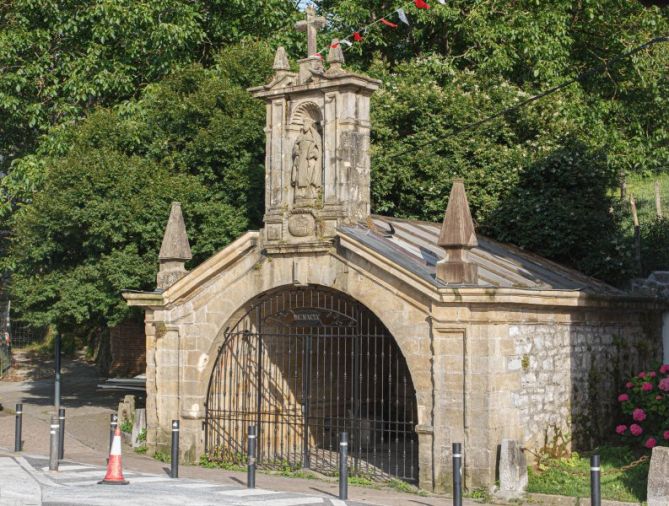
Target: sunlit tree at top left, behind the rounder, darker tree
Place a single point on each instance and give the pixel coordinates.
(61, 59)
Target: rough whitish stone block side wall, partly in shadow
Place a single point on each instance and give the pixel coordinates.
(570, 373)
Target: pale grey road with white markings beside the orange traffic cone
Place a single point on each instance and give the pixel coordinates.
(26, 480)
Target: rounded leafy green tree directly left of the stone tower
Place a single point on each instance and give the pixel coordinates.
(95, 225)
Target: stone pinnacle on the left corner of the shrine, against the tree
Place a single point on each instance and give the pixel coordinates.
(175, 249)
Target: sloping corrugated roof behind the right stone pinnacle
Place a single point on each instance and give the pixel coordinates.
(413, 245)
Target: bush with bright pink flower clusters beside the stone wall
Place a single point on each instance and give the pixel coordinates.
(645, 404)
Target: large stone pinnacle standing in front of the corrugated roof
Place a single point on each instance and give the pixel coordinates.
(457, 238)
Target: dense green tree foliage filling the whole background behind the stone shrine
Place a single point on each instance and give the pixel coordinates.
(111, 109)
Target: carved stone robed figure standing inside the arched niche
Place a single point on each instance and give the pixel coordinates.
(307, 156)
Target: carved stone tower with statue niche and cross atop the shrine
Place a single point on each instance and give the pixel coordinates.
(317, 151)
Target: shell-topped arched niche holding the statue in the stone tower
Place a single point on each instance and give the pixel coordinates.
(306, 166)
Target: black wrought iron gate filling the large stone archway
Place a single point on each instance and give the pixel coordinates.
(304, 364)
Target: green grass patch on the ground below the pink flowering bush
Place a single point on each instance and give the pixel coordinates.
(571, 476)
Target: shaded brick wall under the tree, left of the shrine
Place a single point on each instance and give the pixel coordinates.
(128, 349)
